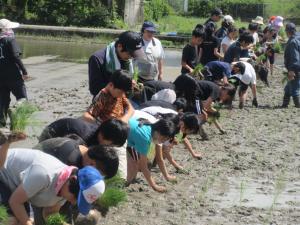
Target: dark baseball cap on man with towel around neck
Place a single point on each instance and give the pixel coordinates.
(132, 43)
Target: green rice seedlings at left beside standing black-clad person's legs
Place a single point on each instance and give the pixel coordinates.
(20, 116)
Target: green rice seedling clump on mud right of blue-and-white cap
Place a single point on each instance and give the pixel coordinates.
(112, 197)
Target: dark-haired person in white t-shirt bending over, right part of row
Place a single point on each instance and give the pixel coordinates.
(246, 73)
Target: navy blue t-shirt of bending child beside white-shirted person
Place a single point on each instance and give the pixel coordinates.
(219, 69)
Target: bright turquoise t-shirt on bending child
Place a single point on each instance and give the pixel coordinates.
(139, 137)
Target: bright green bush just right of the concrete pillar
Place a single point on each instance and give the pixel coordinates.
(156, 9)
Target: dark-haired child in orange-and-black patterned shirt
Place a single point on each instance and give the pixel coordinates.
(111, 101)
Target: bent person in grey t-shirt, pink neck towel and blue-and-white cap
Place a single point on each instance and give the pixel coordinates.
(31, 176)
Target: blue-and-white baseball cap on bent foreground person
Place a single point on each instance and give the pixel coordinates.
(92, 185)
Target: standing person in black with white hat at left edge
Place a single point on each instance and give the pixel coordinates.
(13, 72)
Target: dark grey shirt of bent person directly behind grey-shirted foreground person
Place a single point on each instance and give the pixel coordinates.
(64, 149)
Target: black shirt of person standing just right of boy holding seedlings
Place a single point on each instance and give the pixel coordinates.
(208, 46)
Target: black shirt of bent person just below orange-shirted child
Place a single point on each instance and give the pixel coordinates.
(66, 126)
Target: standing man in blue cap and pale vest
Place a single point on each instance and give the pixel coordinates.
(150, 68)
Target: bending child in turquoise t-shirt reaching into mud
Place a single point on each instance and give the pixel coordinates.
(140, 137)
